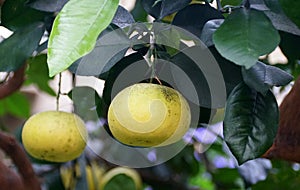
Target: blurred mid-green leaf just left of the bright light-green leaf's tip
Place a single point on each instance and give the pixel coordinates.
(37, 73)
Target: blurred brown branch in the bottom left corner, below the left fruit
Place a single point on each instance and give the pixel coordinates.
(11, 147)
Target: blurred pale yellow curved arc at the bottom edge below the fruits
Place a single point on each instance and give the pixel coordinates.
(121, 171)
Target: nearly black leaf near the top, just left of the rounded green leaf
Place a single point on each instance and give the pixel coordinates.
(185, 18)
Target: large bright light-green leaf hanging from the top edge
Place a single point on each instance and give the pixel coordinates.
(75, 31)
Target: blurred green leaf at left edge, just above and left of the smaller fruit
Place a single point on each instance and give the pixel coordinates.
(15, 104)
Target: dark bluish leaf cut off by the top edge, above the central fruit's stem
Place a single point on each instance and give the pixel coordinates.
(160, 9)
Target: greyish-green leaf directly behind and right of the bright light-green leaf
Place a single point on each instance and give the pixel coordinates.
(110, 47)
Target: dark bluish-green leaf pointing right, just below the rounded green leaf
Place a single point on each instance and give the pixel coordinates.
(262, 77)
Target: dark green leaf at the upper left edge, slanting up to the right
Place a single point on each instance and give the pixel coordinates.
(15, 50)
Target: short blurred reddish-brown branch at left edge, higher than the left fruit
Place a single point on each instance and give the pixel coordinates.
(13, 83)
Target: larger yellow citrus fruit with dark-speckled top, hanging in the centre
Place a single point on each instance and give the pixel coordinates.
(148, 115)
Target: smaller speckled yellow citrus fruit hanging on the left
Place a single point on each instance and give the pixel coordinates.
(54, 136)
